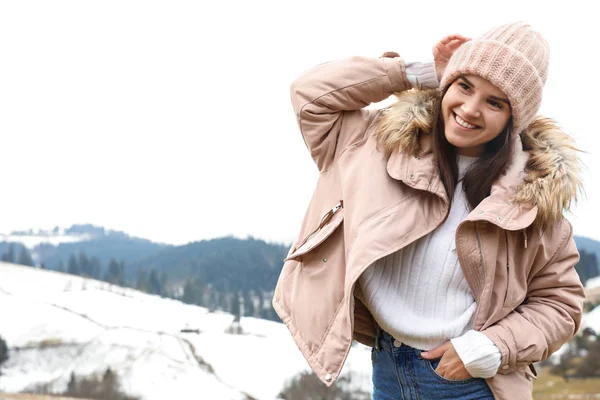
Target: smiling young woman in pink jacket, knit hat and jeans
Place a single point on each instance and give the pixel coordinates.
(435, 234)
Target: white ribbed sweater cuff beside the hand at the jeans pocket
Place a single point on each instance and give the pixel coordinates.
(479, 354)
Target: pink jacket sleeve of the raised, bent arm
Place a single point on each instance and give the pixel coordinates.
(329, 99)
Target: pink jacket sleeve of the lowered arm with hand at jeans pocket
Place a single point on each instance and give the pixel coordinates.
(550, 314)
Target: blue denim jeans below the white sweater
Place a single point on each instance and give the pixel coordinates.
(400, 373)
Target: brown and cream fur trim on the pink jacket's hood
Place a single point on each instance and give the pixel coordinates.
(548, 171)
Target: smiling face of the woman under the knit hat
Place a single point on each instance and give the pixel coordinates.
(475, 112)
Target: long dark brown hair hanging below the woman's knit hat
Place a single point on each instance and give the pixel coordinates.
(478, 180)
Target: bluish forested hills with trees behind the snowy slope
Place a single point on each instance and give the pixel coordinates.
(228, 274)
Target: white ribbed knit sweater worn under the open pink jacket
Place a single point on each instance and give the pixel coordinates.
(420, 296)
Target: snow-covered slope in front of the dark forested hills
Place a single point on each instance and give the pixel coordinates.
(56, 324)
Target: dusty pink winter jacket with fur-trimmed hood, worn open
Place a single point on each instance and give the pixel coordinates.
(515, 248)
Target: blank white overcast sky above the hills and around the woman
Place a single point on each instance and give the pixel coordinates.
(171, 120)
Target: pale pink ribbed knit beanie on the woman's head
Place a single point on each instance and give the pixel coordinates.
(513, 57)
